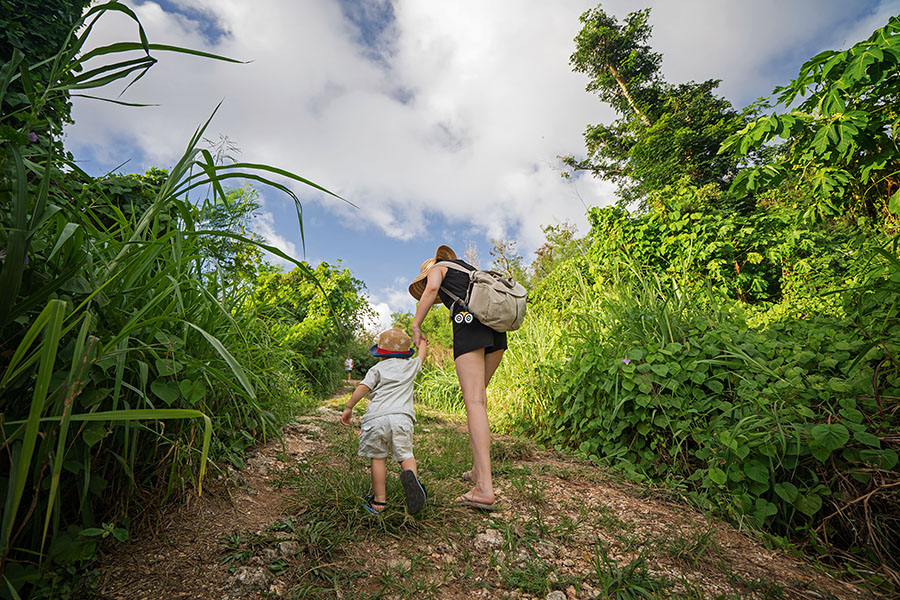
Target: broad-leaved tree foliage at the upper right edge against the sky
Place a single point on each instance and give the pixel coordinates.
(841, 141)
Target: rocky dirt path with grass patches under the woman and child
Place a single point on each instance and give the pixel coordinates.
(290, 525)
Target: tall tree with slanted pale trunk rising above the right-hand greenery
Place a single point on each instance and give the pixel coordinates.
(665, 133)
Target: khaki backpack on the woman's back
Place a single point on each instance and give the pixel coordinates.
(495, 300)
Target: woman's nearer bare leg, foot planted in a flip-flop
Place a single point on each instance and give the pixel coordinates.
(470, 369)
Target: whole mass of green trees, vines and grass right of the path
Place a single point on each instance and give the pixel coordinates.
(745, 354)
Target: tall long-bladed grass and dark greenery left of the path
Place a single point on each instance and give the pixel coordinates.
(120, 349)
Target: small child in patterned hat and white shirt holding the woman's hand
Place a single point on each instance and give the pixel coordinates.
(389, 419)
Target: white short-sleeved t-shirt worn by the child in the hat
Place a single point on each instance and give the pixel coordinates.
(391, 382)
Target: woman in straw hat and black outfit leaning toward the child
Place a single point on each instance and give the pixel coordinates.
(477, 351)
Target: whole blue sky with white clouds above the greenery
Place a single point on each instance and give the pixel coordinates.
(441, 122)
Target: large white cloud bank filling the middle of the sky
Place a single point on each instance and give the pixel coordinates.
(463, 124)
